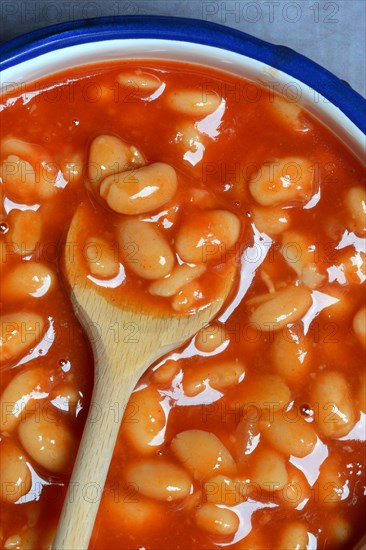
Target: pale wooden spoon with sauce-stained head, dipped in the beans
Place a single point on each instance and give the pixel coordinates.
(118, 362)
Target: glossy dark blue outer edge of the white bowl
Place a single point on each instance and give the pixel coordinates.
(47, 39)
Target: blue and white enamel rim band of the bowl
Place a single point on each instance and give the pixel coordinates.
(53, 49)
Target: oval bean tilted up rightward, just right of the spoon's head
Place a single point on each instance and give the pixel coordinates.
(282, 308)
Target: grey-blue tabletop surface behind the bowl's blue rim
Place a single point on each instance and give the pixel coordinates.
(331, 33)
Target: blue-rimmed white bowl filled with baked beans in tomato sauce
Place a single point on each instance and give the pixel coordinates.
(191, 150)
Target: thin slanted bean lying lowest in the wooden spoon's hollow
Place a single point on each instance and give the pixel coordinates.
(176, 280)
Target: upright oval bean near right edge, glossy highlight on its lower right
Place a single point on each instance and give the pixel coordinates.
(330, 396)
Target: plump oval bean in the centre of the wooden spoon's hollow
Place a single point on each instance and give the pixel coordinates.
(145, 249)
